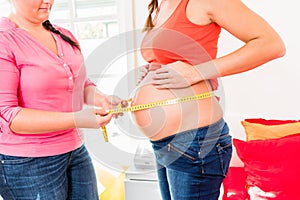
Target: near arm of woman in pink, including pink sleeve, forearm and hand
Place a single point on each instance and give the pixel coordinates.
(29, 121)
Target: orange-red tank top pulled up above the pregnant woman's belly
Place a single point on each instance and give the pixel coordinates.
(178, 39)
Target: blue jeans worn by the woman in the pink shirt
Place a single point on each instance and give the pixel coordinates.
(67, 176)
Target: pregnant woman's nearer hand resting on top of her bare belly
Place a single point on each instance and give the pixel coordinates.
(176, 75)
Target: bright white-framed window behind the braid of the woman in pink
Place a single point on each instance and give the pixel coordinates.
(92, 21)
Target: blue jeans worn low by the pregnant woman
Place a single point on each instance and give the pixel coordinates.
(191, 165)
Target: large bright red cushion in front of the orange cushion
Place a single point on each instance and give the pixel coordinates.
(272, 165)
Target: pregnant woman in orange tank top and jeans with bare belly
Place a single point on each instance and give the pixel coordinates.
(191, 141)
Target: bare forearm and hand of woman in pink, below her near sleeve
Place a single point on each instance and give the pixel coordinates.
(30, 121)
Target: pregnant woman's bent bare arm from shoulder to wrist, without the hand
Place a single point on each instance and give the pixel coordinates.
(262, 42)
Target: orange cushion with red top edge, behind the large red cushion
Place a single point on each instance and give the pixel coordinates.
(261, 129)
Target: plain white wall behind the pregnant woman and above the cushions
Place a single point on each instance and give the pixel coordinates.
(271, 90)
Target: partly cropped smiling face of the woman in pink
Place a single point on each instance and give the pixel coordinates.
(34, 11)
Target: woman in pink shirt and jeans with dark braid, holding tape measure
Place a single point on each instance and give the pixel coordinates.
(43, 87)
